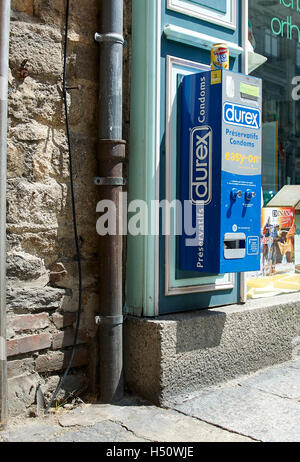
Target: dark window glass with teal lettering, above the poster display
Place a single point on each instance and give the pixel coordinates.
(275, 34)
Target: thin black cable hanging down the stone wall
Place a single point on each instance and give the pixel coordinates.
(73, 208)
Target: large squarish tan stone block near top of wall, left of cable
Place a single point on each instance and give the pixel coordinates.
(41, 45)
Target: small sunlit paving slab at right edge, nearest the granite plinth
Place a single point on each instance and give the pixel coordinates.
(283, 381)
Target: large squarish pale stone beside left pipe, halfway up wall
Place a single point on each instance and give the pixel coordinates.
(33, 207)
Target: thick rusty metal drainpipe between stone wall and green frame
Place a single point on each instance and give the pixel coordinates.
(111, 155)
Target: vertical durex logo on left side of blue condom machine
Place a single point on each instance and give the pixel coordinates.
(200, 165)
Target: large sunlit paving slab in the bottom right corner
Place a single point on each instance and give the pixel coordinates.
(248, 411)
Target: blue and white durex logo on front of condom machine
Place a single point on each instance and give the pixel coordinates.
(243, 116)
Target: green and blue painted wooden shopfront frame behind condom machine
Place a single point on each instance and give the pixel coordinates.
(170, 38)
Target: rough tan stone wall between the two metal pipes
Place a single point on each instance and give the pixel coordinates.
(42, 292)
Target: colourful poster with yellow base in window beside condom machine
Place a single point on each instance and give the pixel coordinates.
(277, 273)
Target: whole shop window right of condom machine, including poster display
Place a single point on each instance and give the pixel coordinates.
(275, 28)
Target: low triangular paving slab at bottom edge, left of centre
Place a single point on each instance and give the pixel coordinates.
(103, 432)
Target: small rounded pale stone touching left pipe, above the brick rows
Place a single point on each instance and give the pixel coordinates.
(24, 266)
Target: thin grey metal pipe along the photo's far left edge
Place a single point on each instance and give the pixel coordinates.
(4, 49)
